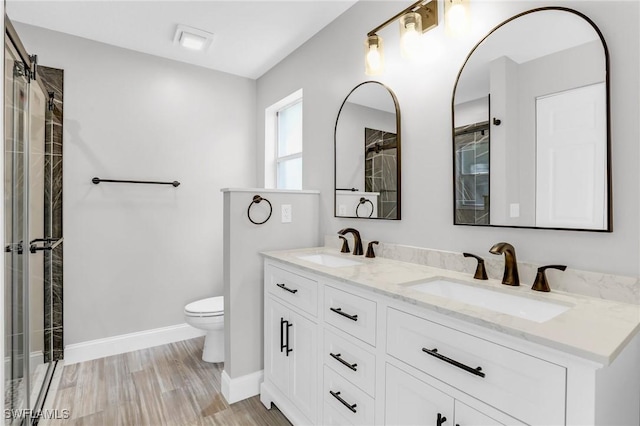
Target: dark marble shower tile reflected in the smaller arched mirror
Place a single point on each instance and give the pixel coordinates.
(380, 169)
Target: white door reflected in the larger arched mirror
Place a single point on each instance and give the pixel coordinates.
(571, 152)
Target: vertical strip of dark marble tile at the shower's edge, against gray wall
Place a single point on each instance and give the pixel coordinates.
(53, 334)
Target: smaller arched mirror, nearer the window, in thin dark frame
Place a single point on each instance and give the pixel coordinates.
(367, 154)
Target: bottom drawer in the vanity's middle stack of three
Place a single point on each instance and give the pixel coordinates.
(355, 406)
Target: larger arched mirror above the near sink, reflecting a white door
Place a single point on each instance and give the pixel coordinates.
(531, 126)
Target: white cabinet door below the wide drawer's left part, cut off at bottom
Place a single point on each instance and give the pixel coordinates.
(410, 401)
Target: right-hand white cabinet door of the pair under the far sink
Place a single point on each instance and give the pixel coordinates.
(303, 368)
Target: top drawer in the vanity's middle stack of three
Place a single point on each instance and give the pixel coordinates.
(350, 313)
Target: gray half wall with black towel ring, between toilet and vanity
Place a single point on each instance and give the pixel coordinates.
(243, 265)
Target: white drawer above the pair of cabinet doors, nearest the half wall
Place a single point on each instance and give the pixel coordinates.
(299, 291)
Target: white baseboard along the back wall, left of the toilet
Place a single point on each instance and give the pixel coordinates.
(100, 348)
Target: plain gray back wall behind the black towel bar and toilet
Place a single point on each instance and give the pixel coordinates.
(136, 254)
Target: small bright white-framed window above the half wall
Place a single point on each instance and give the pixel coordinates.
(283, 143)
